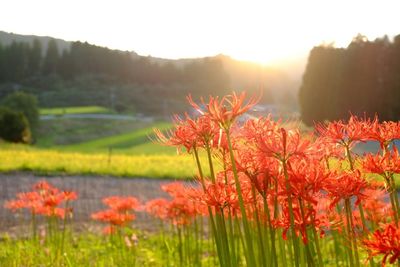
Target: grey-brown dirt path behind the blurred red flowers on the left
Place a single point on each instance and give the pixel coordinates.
(90, 192)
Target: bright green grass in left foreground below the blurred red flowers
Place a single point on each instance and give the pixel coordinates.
(93, 249)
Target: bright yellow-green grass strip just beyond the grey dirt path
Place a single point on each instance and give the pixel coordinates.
(51, 162)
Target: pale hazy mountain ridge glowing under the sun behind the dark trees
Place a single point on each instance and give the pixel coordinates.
(243, 74)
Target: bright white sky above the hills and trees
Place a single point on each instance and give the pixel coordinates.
(267, 32)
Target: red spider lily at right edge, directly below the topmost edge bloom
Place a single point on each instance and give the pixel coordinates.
(388, 163)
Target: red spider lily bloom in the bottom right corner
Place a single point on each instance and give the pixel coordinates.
(385, 242)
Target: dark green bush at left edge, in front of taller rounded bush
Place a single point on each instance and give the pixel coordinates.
(14, 127)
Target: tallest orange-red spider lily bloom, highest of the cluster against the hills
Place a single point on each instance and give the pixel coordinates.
(225, 111)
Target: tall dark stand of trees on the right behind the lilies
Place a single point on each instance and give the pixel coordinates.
(362, 79)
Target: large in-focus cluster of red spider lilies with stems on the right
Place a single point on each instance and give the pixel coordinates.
(277, 177)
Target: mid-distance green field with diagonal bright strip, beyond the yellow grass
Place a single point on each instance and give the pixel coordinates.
(99, 136)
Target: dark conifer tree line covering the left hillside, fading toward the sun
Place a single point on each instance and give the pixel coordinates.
(86, 74)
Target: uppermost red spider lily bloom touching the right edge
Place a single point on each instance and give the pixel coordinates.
(384, 132)
